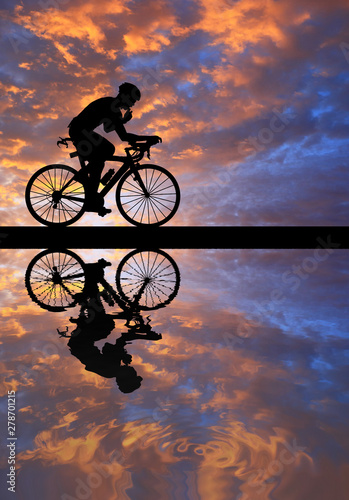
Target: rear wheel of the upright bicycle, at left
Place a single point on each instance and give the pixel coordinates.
(53, 196)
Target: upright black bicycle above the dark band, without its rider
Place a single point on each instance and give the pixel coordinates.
(56, 195)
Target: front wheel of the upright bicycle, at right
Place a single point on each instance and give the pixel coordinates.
(155, 207)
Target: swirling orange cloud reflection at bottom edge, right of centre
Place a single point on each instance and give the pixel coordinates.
(250, 456)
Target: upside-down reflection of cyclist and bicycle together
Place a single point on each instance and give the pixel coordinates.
(146, 281)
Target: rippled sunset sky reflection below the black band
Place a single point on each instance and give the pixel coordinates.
(245, 396)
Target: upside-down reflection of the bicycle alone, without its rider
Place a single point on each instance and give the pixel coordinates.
(56, 280)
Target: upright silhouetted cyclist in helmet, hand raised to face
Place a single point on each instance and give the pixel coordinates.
(112, 113)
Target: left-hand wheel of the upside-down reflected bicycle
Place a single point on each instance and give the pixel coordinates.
(53, 278)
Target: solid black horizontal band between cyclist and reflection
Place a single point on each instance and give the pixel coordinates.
(258, 237)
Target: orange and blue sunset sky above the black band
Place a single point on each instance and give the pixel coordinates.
(249, 97)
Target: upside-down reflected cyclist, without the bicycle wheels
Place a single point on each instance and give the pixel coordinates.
(93, 324)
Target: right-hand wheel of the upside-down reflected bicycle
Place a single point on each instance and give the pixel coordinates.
(152, 274)
